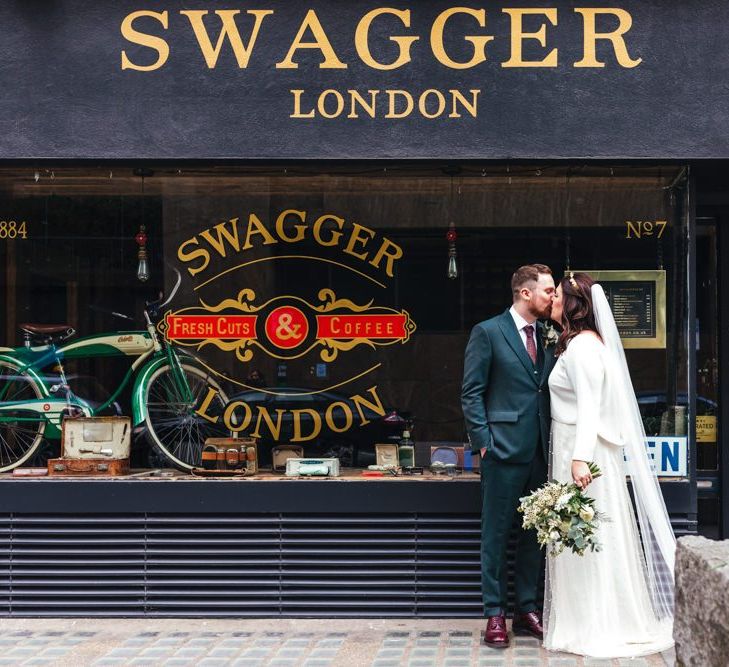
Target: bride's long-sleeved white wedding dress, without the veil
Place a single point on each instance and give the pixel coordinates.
(599, 604)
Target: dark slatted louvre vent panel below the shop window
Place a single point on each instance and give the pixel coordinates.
(264, 565)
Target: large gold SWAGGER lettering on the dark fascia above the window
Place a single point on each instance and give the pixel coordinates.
(312, 44)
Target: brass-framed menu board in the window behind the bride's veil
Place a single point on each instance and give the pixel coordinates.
(638, 302)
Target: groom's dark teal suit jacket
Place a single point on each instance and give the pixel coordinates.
(505, 397)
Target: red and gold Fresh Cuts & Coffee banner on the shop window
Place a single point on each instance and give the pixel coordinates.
(287, 327)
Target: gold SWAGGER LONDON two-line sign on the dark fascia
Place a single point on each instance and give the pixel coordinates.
(383, 39)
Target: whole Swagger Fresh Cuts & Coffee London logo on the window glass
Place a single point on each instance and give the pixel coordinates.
(287, 327)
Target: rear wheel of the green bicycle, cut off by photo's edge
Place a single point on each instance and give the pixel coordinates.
(19, 438)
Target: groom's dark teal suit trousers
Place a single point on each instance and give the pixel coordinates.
(502, 484)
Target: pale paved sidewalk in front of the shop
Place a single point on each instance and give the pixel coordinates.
(276, 642)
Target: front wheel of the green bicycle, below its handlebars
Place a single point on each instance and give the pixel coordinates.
(173, 427)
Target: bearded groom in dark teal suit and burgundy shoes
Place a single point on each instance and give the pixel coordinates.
(505, 401)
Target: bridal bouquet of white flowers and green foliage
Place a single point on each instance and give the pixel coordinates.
(563, 516)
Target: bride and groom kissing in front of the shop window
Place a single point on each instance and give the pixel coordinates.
(539, 405)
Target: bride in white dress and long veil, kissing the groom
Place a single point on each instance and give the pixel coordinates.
(617, 602)
